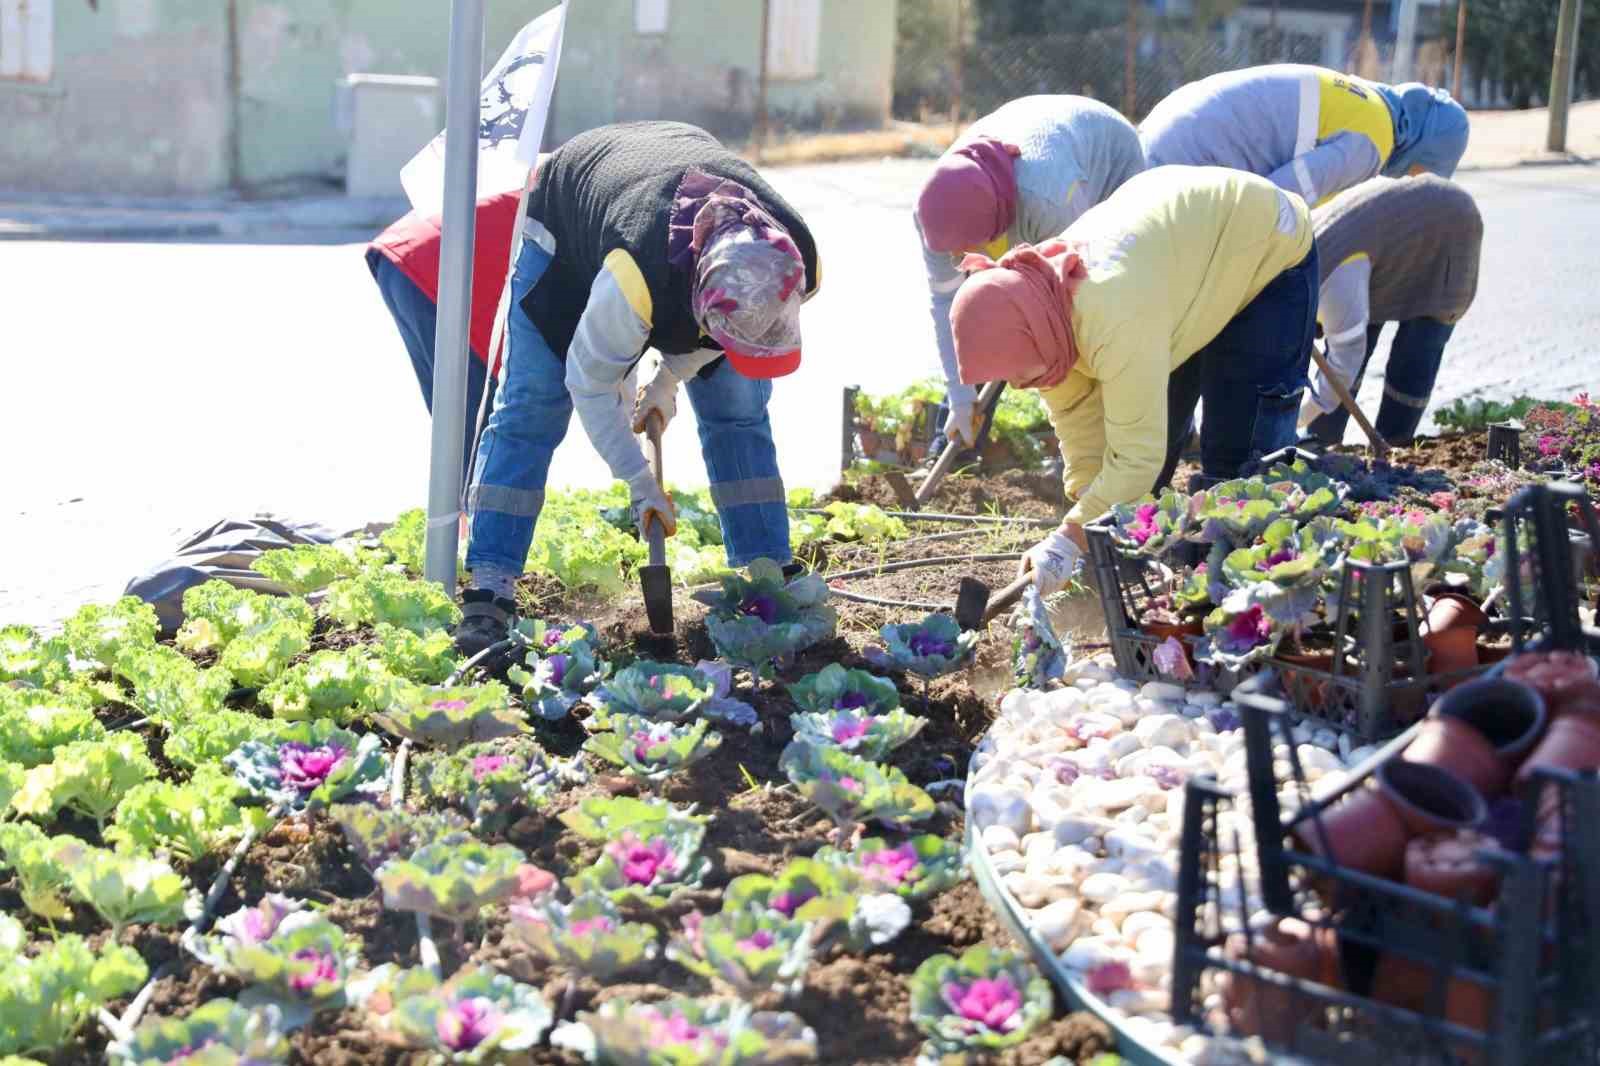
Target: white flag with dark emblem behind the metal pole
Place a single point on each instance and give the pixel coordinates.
(513, 113)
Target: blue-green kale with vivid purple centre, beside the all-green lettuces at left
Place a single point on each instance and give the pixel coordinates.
(311, 767)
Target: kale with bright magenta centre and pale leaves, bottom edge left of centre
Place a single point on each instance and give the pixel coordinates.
(476, 1017)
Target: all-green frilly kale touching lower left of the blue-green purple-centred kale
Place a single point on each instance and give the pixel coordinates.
(191, 820)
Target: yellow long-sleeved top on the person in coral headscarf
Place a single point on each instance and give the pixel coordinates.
(1172, 257)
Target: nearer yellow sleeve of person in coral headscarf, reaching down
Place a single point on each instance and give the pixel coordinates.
(1134, 395)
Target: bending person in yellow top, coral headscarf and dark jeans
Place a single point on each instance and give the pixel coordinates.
(1188, 283)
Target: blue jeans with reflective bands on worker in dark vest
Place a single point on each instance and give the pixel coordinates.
(530, 419)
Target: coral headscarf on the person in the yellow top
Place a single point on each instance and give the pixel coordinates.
(1014, 319)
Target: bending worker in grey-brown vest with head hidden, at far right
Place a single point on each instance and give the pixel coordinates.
(1393, 252)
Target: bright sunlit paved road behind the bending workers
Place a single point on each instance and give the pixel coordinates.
(154, 388)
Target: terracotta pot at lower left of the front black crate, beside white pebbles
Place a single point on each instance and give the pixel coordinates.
(1287, 947)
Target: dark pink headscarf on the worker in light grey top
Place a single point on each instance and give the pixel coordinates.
(972, 196)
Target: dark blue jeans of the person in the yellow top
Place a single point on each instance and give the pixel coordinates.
(1250, 377)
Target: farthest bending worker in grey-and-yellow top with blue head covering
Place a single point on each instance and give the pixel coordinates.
(1310, 130)
